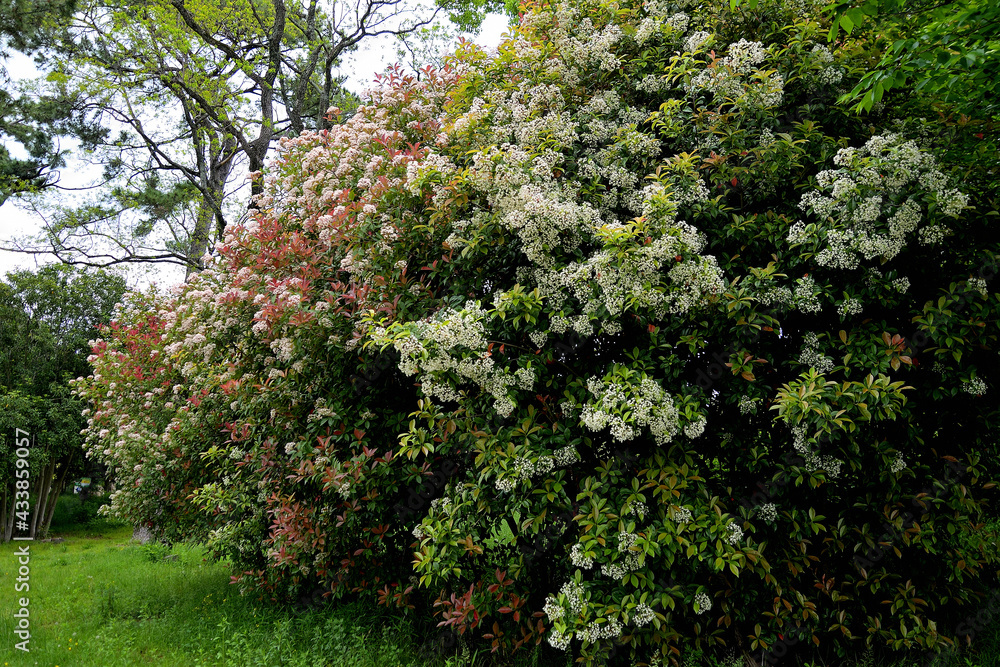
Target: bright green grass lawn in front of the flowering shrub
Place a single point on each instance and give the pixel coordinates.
(99, 600)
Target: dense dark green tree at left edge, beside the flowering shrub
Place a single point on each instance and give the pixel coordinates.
(47, 321)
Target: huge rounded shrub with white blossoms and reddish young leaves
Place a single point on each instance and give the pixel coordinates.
(622, 336)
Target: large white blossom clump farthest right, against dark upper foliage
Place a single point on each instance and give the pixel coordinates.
(871, 205)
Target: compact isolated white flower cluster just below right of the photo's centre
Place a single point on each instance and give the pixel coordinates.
(645, 403)
